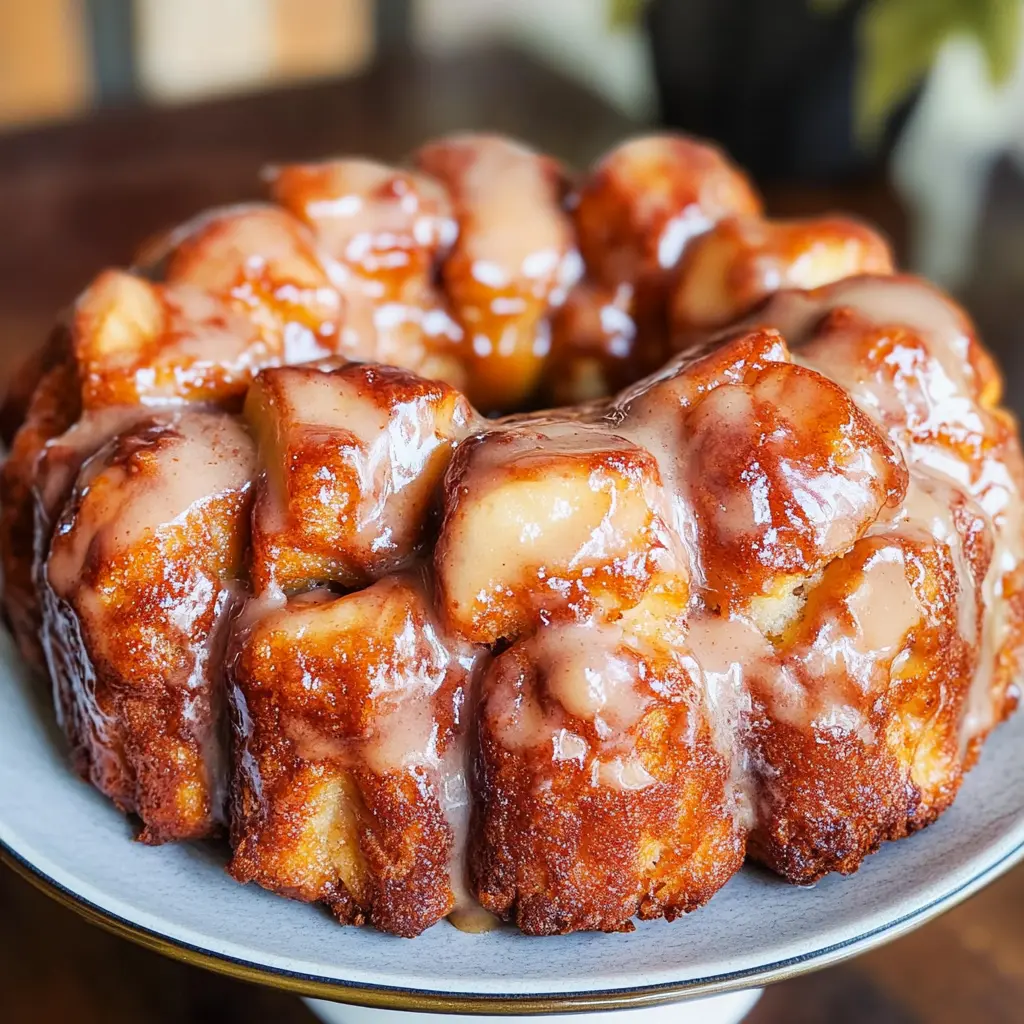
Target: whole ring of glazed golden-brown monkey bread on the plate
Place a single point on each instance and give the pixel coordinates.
(757, 592)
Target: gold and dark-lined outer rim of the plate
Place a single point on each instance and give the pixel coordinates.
(448, 1003)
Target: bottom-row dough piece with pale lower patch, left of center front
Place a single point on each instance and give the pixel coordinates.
(346, 711)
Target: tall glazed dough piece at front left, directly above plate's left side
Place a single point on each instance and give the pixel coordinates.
(139, 587)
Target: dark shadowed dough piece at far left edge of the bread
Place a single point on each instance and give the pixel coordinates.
(53, 410)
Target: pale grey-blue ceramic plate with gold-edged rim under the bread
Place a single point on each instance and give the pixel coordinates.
(65, 837)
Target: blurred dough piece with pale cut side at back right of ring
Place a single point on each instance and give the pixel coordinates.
(728, 271)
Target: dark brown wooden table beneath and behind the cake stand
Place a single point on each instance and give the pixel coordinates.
(78, 197)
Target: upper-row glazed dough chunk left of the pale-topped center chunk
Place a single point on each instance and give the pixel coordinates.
(354, 459)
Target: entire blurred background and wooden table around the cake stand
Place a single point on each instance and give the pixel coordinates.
(119, 117)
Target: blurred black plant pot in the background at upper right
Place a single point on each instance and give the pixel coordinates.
(772, 80)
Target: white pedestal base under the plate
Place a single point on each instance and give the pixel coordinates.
(729, 1009)
